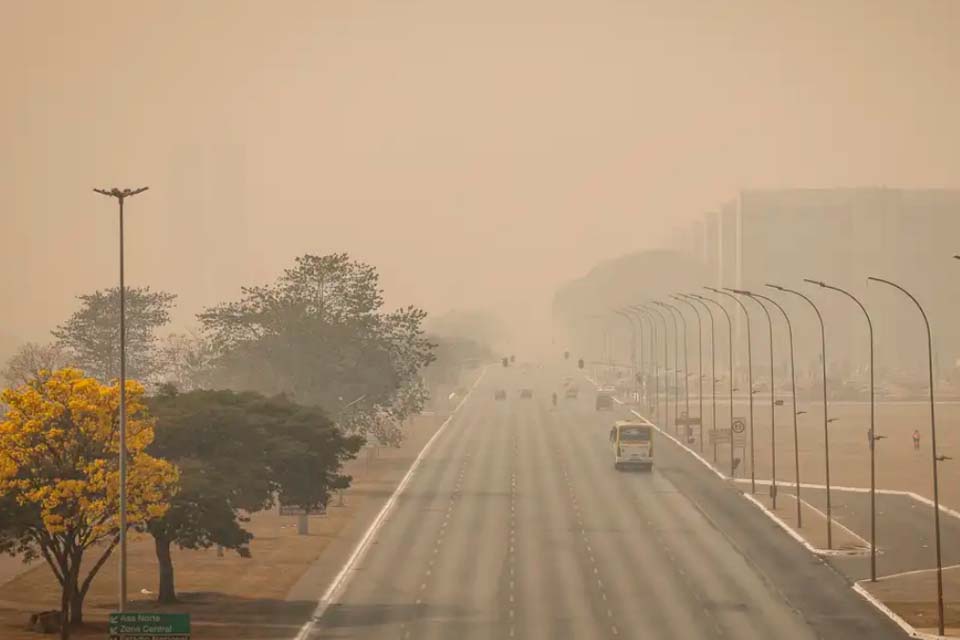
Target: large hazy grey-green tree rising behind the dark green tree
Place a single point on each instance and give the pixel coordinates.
(319, 334)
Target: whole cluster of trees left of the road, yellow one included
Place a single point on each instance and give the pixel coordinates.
(262, 403)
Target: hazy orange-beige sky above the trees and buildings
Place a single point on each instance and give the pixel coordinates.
(479, 153)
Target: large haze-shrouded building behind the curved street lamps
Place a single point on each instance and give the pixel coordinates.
(841, 236)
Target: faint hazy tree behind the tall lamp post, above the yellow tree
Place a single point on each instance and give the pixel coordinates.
(91, 336)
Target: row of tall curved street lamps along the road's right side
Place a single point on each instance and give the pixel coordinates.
(653, 311)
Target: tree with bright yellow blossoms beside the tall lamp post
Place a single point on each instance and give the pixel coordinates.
(59, 446)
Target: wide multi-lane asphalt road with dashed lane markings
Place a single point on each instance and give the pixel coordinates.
(517, 525)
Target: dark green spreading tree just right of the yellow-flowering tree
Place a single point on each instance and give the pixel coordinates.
(236, 451)
